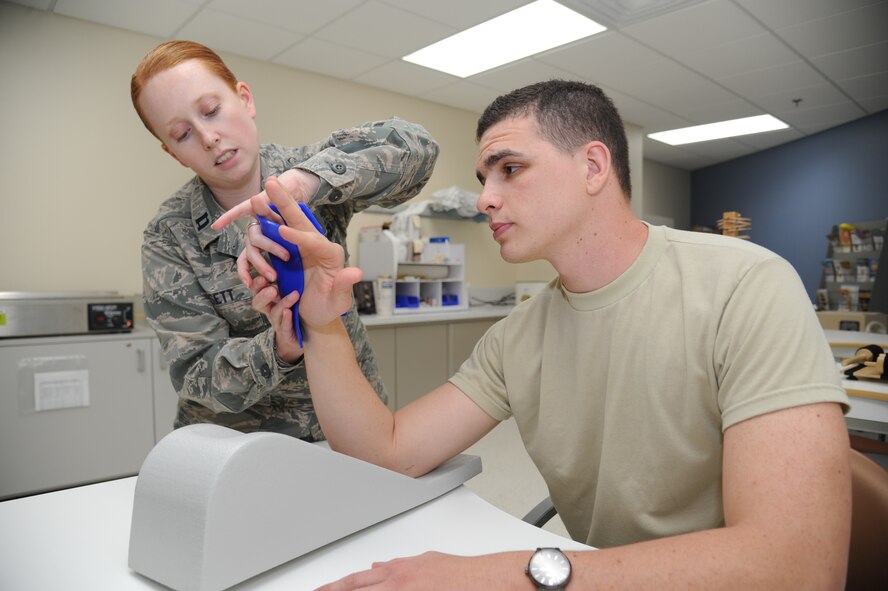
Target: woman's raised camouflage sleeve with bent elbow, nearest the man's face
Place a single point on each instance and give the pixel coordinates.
(379, 163)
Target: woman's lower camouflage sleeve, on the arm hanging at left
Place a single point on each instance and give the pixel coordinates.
(221, 356)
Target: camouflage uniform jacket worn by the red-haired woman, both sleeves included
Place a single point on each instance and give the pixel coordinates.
(220, 351)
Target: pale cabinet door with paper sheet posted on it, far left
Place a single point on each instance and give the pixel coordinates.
(73, 410)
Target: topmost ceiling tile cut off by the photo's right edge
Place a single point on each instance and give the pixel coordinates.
(843, 31)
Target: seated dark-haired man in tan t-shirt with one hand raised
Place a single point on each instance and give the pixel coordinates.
(674, 389)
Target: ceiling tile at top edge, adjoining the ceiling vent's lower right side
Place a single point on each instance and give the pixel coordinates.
(700, 26)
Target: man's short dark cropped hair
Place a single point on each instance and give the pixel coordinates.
(569, 114)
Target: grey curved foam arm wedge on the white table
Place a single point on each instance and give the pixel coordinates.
(214, 506)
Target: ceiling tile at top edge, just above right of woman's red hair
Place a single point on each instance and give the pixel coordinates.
(302, 16)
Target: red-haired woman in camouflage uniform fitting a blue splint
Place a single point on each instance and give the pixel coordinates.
(223, 354)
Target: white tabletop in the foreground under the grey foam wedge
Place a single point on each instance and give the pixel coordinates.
(79, 538)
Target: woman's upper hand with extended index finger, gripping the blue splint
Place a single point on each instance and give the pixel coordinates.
(298, 185)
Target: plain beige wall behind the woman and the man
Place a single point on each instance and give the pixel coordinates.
(80, 177)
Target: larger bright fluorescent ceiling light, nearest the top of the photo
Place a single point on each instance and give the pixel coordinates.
(533, 28)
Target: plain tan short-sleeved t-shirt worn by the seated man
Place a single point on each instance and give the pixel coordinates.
(621, 395)
